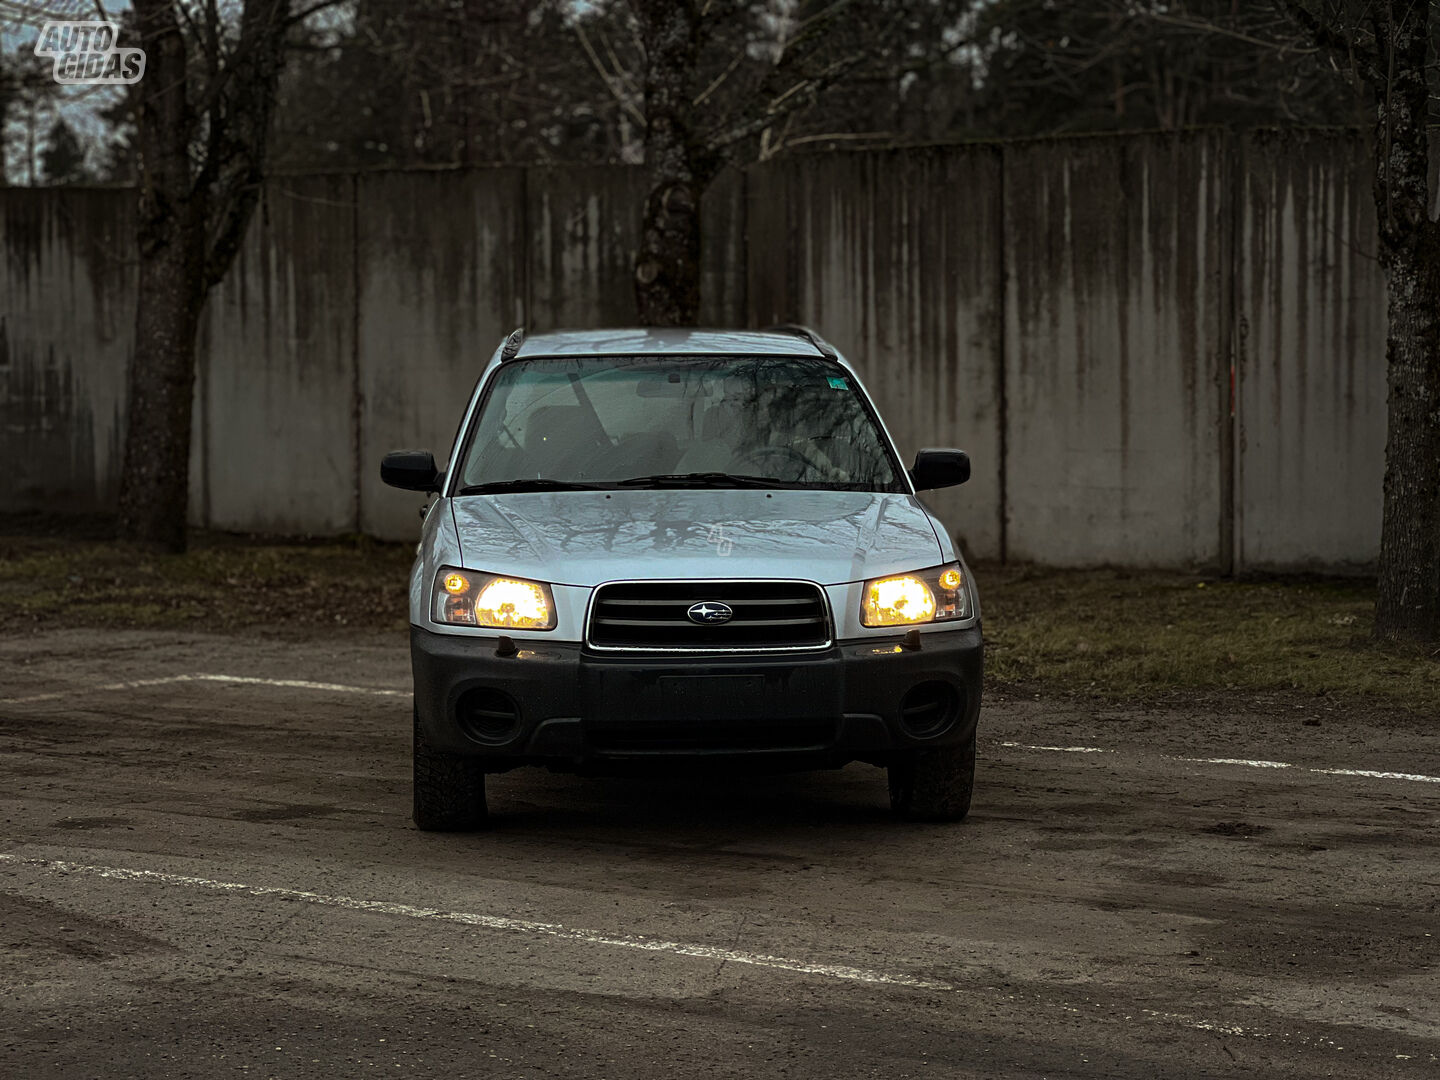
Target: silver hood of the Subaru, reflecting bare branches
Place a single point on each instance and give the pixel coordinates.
(587, 538)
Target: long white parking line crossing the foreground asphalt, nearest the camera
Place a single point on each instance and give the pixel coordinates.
(489, 922)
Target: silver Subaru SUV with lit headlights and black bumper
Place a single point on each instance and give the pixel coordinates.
(678, 546)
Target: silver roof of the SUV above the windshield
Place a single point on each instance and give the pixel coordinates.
(675, 342)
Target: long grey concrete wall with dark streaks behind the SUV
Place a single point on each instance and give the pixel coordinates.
(1158, 351)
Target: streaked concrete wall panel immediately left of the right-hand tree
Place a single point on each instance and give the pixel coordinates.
(1313, 356)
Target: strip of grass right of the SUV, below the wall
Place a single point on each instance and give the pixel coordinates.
(1133, 636)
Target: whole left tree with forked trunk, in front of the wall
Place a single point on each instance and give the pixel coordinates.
(204, 117)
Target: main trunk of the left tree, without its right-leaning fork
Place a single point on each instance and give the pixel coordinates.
(156, 476)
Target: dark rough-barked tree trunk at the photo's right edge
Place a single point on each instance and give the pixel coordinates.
(1409, 597)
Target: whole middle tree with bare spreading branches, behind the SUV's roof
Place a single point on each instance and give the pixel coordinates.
(714, 81)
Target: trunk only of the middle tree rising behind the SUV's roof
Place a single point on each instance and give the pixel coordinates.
(667, 266)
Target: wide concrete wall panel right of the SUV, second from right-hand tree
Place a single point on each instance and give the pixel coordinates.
(1115, 351)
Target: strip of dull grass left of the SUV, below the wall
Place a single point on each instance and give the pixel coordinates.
(222, 584)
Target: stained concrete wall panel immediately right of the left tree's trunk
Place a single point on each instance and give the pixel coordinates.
(277, 369)
